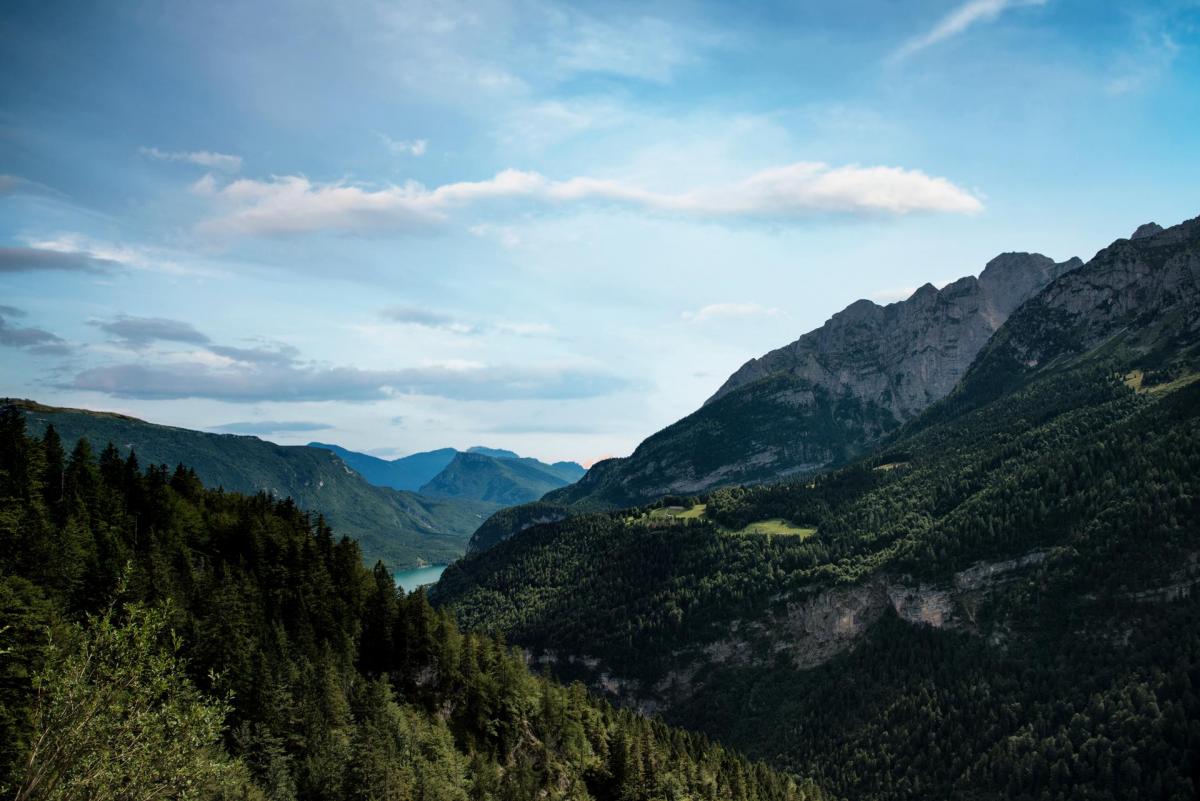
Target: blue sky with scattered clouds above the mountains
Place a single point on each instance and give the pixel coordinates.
(548, 227)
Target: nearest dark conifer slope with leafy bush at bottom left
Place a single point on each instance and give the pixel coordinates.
(158, 636)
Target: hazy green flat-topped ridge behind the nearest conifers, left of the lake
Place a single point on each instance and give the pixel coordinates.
(401, 528)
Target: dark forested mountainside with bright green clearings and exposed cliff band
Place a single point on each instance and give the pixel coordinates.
(998, 604)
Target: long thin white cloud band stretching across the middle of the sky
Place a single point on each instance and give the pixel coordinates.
(293, 204)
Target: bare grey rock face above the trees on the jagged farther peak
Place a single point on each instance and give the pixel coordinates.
(907, 356)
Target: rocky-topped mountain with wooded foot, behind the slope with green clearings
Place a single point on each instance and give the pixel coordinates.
(827, 398)
